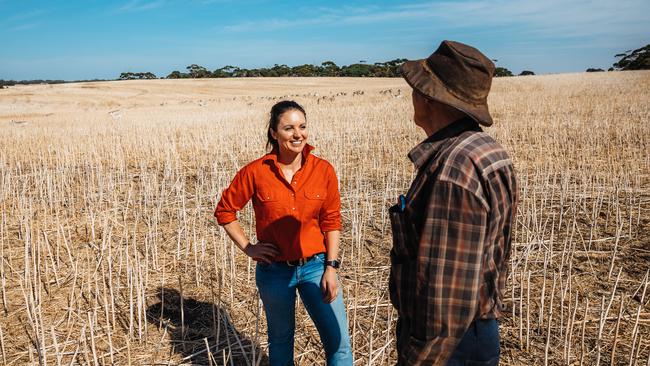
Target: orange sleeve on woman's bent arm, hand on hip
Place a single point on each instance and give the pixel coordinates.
(235, 197)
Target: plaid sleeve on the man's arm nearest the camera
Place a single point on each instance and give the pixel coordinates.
(449, 267)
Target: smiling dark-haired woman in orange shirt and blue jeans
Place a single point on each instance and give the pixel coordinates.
(298, 222)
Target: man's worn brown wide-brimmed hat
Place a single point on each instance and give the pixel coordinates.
(457, 75)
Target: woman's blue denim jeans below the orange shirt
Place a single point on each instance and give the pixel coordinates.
(277, 283)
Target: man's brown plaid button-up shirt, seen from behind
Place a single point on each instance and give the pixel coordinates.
(451, 240)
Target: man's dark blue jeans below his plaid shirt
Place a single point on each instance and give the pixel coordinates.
(479, 346)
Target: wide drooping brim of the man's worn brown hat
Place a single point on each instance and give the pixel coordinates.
(419, 77)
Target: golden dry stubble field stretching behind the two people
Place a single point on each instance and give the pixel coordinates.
(109, 252)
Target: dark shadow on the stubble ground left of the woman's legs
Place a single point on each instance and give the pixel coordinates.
(200, 321)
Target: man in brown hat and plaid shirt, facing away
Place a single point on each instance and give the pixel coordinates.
(452, 231)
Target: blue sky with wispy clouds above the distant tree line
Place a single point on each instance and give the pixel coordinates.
(84, 39)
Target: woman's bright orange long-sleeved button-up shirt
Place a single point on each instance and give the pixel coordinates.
(293, 216)
